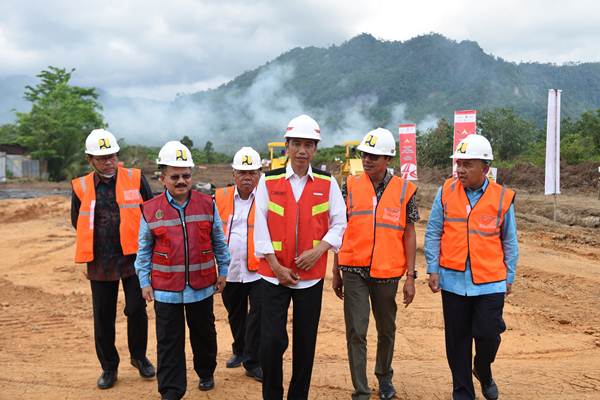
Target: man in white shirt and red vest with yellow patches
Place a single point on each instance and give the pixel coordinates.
(300, 215)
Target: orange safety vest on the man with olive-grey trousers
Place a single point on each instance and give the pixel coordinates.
(375, 232)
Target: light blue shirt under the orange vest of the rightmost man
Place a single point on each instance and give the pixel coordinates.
(459, 282)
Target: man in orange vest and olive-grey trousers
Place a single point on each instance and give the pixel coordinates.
(378, 249)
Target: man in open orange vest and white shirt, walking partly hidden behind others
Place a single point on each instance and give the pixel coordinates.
(241, 296)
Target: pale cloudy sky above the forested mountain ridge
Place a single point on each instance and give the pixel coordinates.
(157, 48)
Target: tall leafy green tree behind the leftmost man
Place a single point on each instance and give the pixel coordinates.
(61, 117)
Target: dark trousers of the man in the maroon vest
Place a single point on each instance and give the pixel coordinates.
(170, 337)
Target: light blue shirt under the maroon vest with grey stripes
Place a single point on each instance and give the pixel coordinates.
(143, 262)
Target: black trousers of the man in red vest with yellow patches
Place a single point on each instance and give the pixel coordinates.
(307, 311)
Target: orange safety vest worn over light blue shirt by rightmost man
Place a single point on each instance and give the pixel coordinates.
(474, 233)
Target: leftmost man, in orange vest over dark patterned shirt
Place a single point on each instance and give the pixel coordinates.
(106, 214)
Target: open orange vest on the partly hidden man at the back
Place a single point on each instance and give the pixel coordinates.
(224, 198)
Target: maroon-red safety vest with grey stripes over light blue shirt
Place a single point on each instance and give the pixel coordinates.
(183, 251)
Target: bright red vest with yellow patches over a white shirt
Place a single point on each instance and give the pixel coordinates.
(297, 226)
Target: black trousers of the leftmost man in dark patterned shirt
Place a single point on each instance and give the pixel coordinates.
(104, 303)
